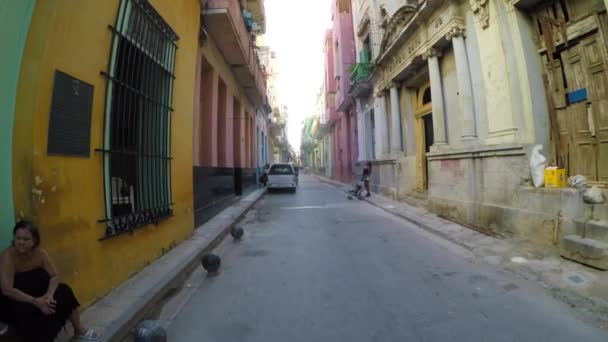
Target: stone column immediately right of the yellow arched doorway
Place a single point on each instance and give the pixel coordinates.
(432, 56)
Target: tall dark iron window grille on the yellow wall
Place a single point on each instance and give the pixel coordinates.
(137, 139)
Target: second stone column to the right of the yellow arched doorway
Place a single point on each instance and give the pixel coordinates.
(465, 87)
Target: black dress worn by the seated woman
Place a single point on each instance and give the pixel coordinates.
(31, 324)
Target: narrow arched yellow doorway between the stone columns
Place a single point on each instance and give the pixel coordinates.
(423, 134)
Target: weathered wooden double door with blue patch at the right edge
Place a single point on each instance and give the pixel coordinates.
(576, 79)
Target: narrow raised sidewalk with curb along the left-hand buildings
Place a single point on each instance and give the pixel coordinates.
(175, 265)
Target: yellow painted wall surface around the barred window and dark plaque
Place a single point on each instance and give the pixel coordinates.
(64, 195)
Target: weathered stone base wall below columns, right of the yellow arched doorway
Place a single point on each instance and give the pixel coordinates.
(492, 193)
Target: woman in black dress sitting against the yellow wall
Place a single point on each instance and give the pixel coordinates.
(38, 304)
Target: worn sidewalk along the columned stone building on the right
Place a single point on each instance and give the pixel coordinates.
(581, 287)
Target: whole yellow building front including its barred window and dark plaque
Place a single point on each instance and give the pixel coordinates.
(102, 149)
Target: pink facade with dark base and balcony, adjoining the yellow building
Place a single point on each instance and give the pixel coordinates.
(231, 108)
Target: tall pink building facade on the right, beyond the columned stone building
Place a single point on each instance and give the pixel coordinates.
(342, 117)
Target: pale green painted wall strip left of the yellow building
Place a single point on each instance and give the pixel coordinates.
(15, 17)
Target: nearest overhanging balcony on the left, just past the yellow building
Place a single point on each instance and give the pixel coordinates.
(225, 24)
